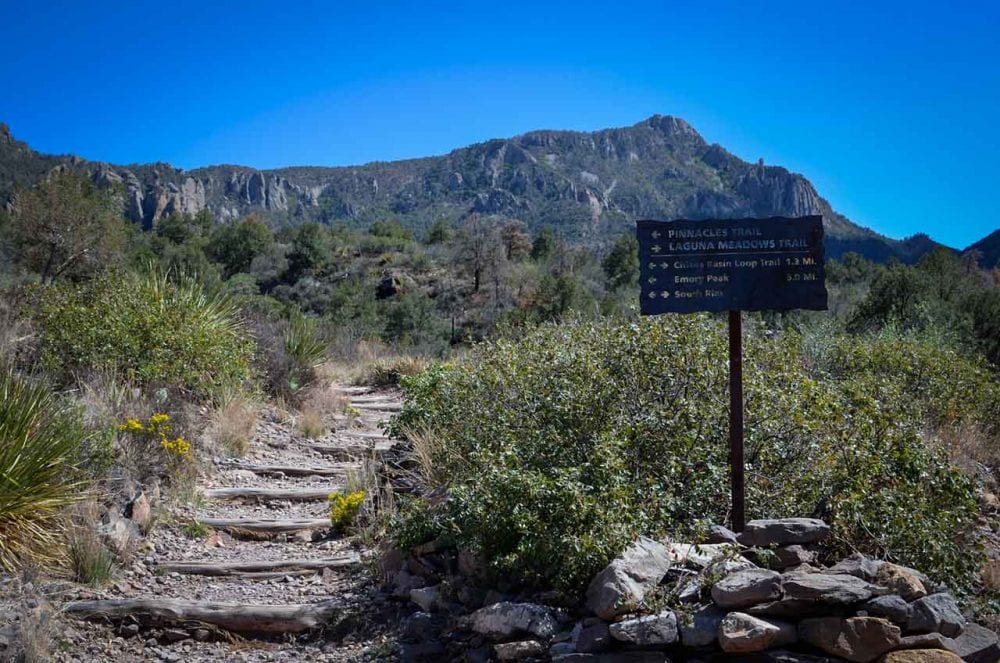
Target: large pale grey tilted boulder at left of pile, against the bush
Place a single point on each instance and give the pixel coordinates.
(621, 586)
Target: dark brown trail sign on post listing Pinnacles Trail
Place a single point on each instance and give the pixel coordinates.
(734, 265)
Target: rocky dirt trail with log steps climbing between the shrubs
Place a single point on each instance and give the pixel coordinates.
(269, 583)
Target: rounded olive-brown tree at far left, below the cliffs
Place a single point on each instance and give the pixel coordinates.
(67, 227)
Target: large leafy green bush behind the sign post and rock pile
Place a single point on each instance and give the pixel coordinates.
(563, 445)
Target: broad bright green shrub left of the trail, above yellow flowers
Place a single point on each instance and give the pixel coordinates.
(148, 330)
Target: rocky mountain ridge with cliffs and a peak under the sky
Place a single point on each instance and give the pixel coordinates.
(590, 185)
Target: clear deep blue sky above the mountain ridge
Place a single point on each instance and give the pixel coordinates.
(890, 108)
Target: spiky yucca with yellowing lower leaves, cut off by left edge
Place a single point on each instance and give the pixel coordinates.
(39, 442)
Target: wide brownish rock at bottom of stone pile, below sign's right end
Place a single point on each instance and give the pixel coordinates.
(859, 639)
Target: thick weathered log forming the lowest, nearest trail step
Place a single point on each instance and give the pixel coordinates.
(236, 618)
